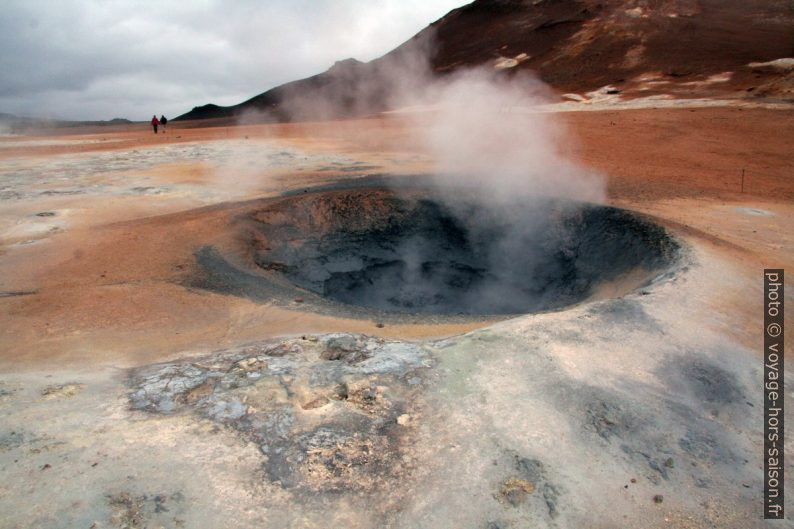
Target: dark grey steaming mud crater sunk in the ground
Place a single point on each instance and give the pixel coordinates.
(415, 252)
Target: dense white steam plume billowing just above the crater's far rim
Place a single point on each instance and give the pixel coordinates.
(485, 136)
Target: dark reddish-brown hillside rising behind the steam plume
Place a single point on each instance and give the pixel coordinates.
(685, 48)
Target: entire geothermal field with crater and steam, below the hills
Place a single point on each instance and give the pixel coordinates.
(493, 305)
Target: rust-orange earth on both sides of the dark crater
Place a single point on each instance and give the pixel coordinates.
(105, 286)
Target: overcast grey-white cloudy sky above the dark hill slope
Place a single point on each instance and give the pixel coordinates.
(100, 59)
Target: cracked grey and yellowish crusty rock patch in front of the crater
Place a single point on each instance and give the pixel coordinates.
(262, 389)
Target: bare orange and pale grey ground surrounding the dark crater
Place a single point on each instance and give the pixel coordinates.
(575, 418)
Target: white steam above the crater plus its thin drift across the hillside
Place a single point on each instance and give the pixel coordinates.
(480, 125)
